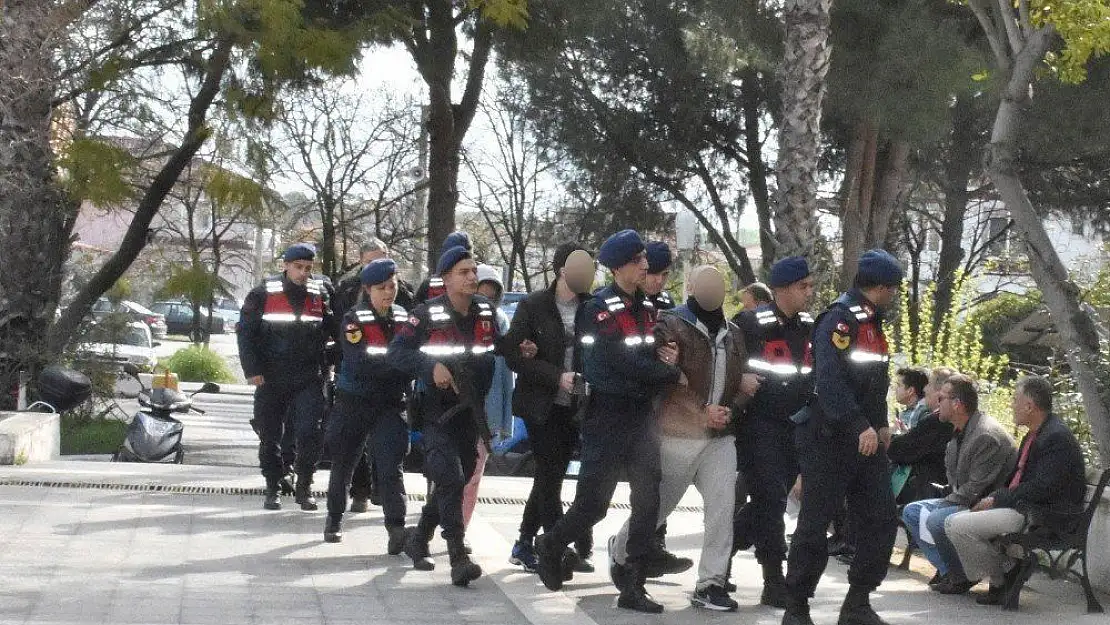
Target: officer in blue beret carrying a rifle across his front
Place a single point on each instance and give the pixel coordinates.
(449, 345)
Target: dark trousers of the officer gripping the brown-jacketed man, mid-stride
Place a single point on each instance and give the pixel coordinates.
(618, 435)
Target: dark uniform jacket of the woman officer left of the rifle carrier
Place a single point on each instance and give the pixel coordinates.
(365, 372)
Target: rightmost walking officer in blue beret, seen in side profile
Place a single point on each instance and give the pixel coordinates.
(842, 446)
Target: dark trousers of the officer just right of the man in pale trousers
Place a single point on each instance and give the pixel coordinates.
(772, 465)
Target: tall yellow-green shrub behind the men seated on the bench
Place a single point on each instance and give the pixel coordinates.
(958, 345)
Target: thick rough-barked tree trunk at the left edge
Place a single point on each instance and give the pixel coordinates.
(36, 218)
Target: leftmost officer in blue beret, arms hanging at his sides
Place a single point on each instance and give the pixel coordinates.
(284, 334)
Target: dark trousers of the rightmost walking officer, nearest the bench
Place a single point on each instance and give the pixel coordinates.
(833, 470)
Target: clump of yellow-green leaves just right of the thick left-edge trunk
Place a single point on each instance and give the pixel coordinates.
(97, 172)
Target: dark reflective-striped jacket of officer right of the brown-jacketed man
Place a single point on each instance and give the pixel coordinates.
(779, 349)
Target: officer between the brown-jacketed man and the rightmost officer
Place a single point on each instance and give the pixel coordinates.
(778, 337)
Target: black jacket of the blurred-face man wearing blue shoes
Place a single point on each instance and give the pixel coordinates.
(538, 320)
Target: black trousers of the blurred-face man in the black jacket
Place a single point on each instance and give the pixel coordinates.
(553, 443)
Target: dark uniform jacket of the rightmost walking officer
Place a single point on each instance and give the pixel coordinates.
(852, 367)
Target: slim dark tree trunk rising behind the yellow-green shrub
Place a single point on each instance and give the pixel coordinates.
(962, 163)
